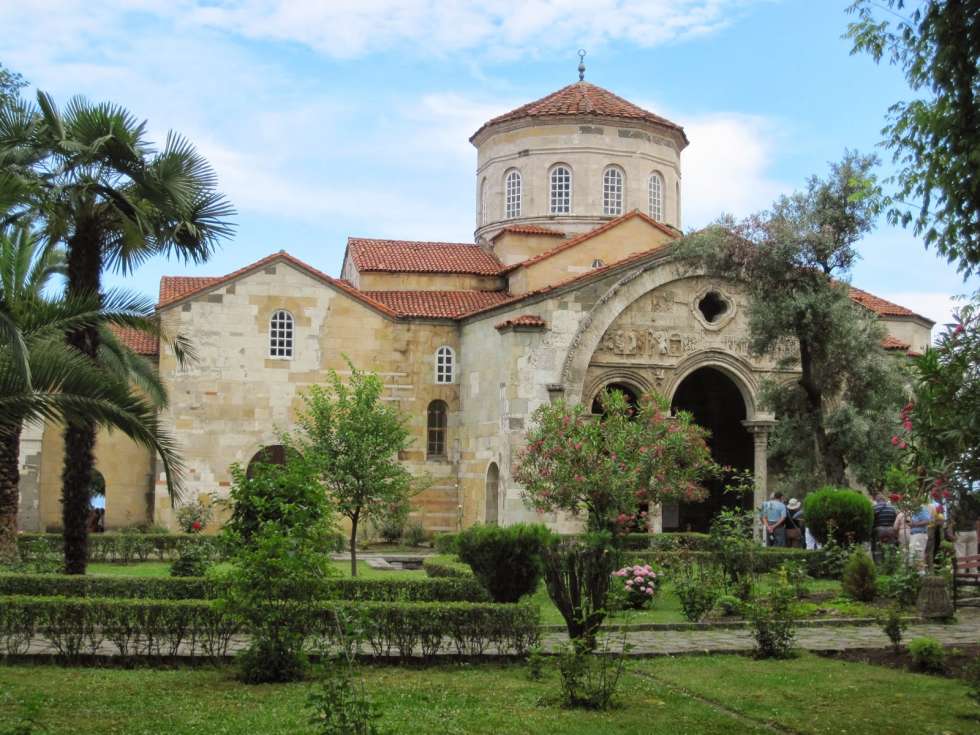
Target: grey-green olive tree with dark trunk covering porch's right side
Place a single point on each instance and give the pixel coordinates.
(793, 260)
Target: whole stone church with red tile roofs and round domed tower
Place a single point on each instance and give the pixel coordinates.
(568, 288)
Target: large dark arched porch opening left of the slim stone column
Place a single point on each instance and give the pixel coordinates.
(717, 404)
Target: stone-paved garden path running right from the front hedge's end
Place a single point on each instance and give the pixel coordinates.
(965, 631)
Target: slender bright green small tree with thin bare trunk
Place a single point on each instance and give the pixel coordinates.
(352, 438)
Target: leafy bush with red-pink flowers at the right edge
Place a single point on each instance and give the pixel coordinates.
(940, 434)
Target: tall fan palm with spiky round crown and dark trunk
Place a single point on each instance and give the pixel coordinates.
(114, 201)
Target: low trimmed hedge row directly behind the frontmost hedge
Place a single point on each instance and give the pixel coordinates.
(200, 588)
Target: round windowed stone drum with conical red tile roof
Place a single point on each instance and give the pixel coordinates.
(574, 160)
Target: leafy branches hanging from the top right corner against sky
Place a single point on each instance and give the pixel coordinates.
(935, 138)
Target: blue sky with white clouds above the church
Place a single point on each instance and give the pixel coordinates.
(326, 119)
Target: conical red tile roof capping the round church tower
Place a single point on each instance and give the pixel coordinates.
(582, 98)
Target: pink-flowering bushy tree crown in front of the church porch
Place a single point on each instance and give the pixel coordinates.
(608, 466)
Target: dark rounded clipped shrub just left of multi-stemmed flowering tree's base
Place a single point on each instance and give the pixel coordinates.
(506, 560)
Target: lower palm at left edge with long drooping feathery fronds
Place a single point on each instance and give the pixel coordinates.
(57, 382)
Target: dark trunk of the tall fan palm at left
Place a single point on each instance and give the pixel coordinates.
(84, 276)
